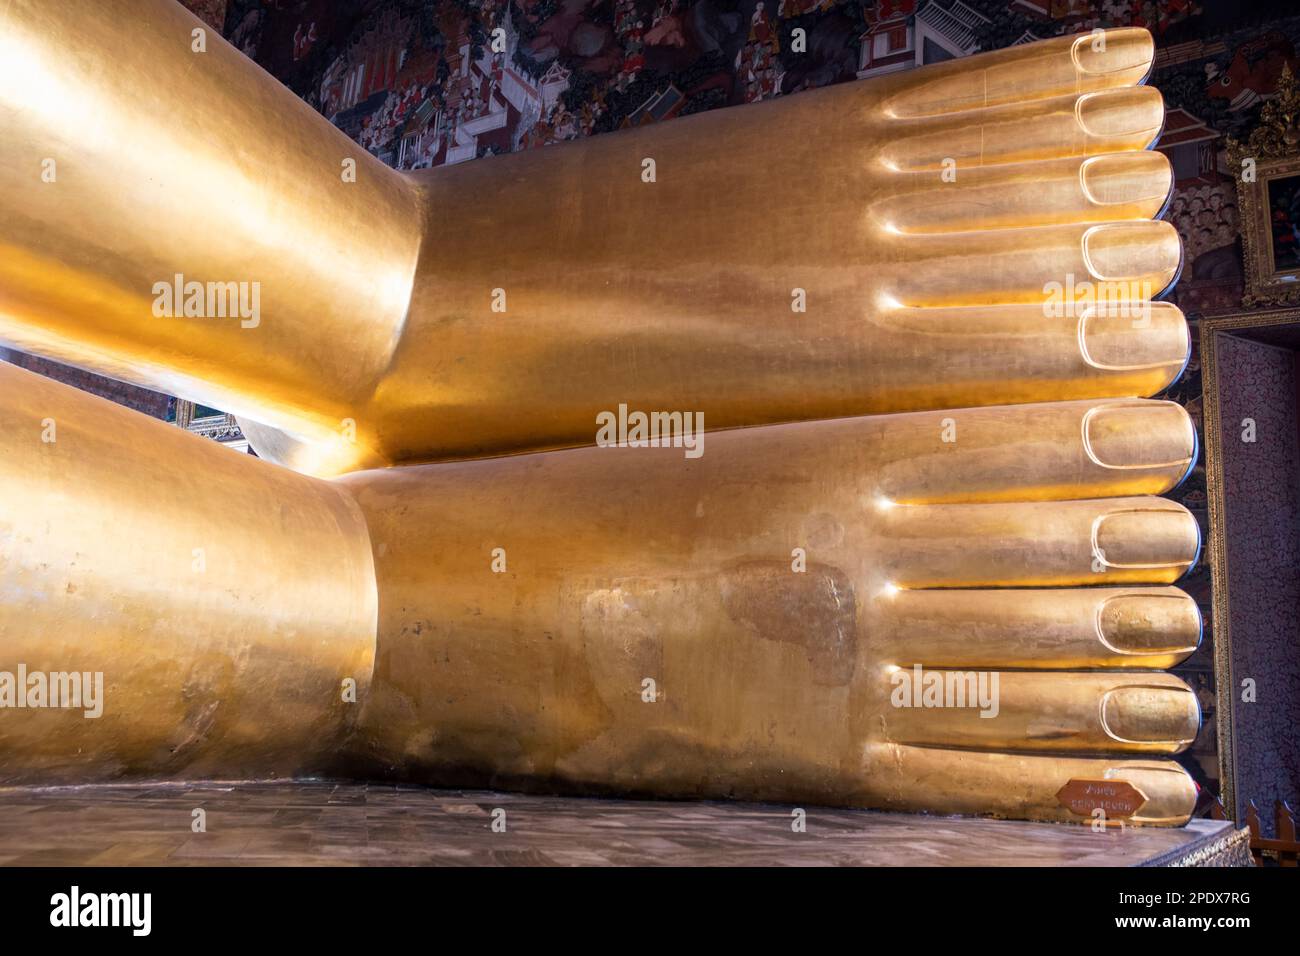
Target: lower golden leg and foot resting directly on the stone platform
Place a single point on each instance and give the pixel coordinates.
(768, 621)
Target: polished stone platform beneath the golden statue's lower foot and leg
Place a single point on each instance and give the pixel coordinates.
(328, 824)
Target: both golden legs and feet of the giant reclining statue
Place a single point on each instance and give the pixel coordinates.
(933, 462)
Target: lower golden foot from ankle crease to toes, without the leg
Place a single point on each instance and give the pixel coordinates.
(772, 621)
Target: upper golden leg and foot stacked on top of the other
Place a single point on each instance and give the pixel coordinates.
(946, 237)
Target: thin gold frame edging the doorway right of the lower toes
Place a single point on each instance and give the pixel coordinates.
(1225, 687)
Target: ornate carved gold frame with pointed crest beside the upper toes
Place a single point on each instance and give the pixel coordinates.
(1273, 153)
